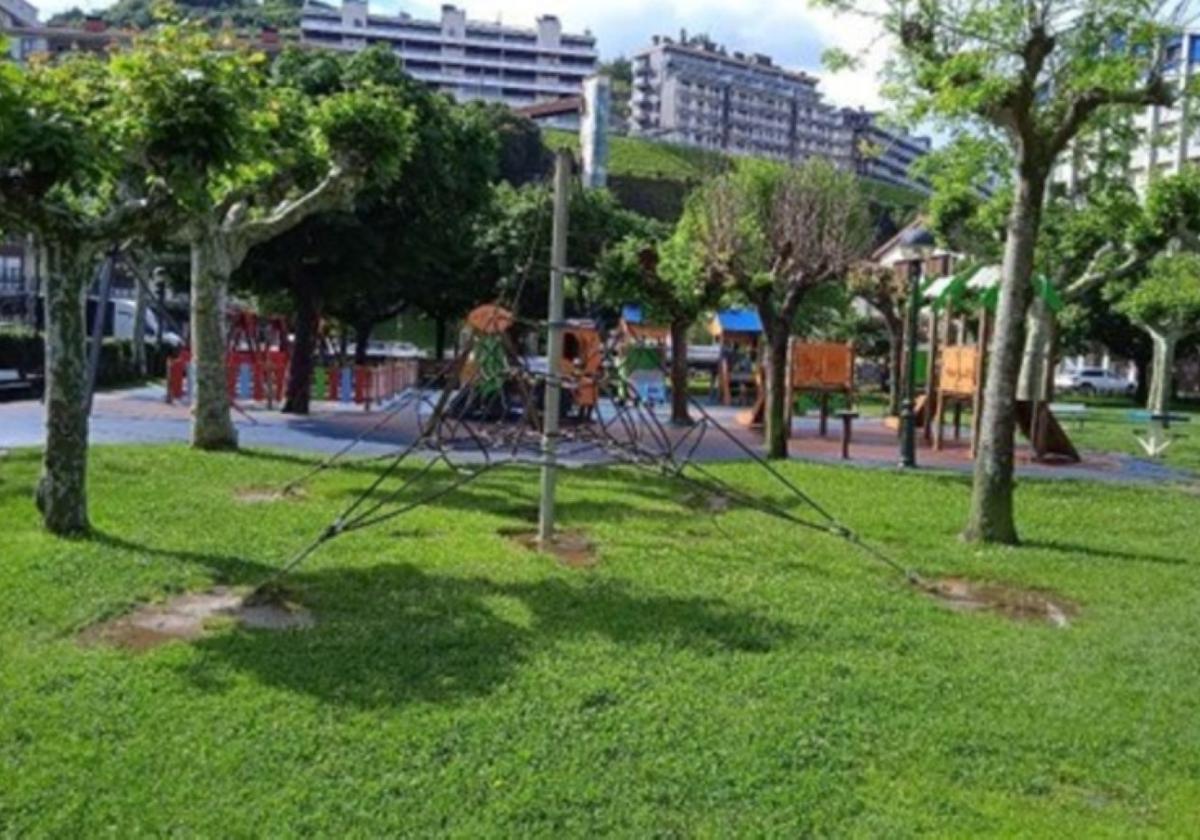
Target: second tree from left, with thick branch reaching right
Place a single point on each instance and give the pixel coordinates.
(244, 161)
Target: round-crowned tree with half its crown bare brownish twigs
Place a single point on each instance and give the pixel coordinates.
(776, 236)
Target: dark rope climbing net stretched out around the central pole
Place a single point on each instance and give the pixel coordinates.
(483, 412)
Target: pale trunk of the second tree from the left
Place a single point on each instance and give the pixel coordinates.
(212, 423)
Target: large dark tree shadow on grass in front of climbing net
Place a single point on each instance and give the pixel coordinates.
(393, 634)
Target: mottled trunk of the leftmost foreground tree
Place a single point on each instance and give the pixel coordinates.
(63, 489)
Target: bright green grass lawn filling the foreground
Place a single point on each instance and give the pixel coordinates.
(710, 677)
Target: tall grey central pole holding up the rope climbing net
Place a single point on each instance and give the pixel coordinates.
(555, 347)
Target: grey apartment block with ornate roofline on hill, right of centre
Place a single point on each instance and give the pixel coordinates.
(695, 93)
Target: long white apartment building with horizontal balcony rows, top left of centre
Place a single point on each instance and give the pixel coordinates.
(467, 59)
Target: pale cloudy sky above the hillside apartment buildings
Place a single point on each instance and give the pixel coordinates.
(788, 31)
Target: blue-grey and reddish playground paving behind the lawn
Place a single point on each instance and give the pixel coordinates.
(141, 416)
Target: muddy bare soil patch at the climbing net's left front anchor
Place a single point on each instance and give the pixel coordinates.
(194, 616)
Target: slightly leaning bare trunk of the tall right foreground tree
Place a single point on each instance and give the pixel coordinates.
(992, 518)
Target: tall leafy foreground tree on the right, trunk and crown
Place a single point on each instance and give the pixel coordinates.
(1041, 73)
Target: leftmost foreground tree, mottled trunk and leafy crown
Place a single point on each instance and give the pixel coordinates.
(73, 182)
